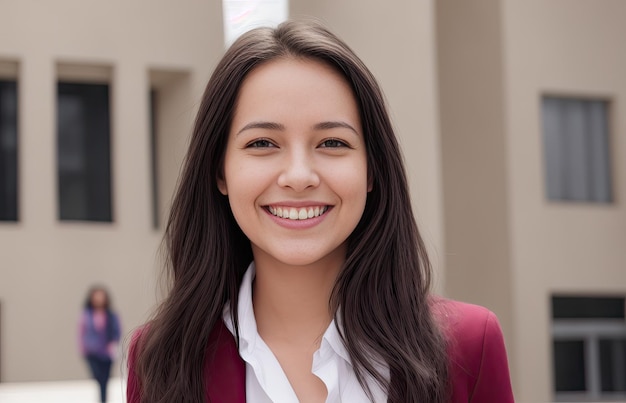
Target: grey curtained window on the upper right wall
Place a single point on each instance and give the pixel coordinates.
(576, 149)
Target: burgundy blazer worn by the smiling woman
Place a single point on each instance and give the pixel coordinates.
(479, 370)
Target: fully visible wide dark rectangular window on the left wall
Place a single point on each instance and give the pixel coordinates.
(83, 152)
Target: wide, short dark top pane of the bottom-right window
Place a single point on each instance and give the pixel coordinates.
(587, 307)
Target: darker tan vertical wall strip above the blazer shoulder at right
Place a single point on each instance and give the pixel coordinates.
(474, 161)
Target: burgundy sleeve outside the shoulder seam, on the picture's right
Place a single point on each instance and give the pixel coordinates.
(493, 382)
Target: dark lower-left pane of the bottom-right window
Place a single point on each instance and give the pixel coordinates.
(569, 366)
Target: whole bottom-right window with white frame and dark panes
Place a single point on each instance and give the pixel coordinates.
(589, 348)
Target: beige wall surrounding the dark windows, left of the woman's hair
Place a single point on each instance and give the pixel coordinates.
(47, 265)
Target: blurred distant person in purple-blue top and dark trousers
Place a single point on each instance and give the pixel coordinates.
(99, 335)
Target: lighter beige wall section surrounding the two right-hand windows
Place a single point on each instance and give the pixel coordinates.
(563, 48)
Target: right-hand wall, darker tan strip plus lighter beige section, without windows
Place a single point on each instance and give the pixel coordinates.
(508, 247)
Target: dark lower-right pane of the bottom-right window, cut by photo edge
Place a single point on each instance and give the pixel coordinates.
(613, 365)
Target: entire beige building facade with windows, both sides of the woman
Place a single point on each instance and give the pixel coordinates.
(483, 94)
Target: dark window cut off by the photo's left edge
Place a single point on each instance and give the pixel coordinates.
(8, 150)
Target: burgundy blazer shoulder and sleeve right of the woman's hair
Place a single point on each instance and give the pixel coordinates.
(478, 359)
